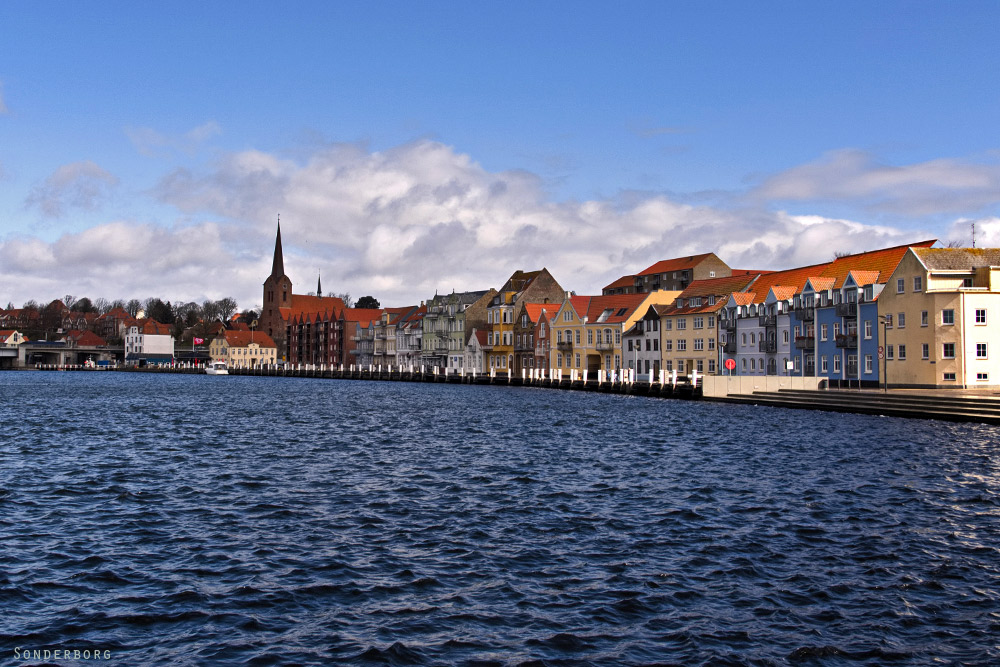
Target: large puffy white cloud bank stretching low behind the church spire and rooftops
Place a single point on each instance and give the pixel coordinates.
(402, 224)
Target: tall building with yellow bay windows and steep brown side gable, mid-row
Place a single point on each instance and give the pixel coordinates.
(522, 287)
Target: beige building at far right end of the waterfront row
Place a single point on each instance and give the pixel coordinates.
(938, 319)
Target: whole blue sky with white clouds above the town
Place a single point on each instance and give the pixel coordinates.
(413, 148)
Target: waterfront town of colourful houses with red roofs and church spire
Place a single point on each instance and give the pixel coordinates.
(912, 315)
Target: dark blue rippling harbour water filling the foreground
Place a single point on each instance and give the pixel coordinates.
(197, 520)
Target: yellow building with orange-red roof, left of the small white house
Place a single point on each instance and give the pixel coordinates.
(588, 329)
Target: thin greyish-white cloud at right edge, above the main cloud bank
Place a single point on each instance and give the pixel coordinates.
(857, 177)
